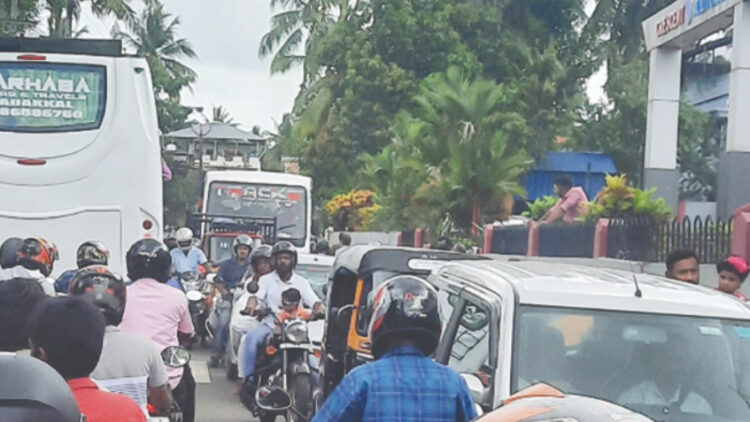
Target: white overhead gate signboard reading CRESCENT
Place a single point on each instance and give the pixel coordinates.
(685, 21)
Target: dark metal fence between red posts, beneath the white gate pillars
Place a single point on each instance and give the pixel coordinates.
(642, 239)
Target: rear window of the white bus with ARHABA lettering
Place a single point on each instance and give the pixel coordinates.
(51, 97)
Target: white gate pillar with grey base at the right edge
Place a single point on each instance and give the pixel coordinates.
(734, 165)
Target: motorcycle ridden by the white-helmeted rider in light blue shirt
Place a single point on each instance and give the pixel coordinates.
(201, 300)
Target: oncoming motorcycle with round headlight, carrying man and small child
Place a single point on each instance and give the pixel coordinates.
(285, 381)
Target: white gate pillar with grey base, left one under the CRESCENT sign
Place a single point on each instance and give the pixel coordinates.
(660, 164)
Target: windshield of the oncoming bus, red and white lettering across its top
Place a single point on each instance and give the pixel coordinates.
(287, 203)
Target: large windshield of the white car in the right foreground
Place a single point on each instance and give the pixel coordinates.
(671, 368)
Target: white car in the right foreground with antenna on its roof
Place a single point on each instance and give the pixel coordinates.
(670, 350)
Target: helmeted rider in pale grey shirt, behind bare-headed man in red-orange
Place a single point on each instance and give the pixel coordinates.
(129, 364)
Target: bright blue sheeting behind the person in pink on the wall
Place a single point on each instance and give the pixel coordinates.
(586, 168)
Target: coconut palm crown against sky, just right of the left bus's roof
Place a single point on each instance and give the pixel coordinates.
(153, 35)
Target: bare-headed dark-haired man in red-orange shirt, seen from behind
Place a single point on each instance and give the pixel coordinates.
(68, 334)
